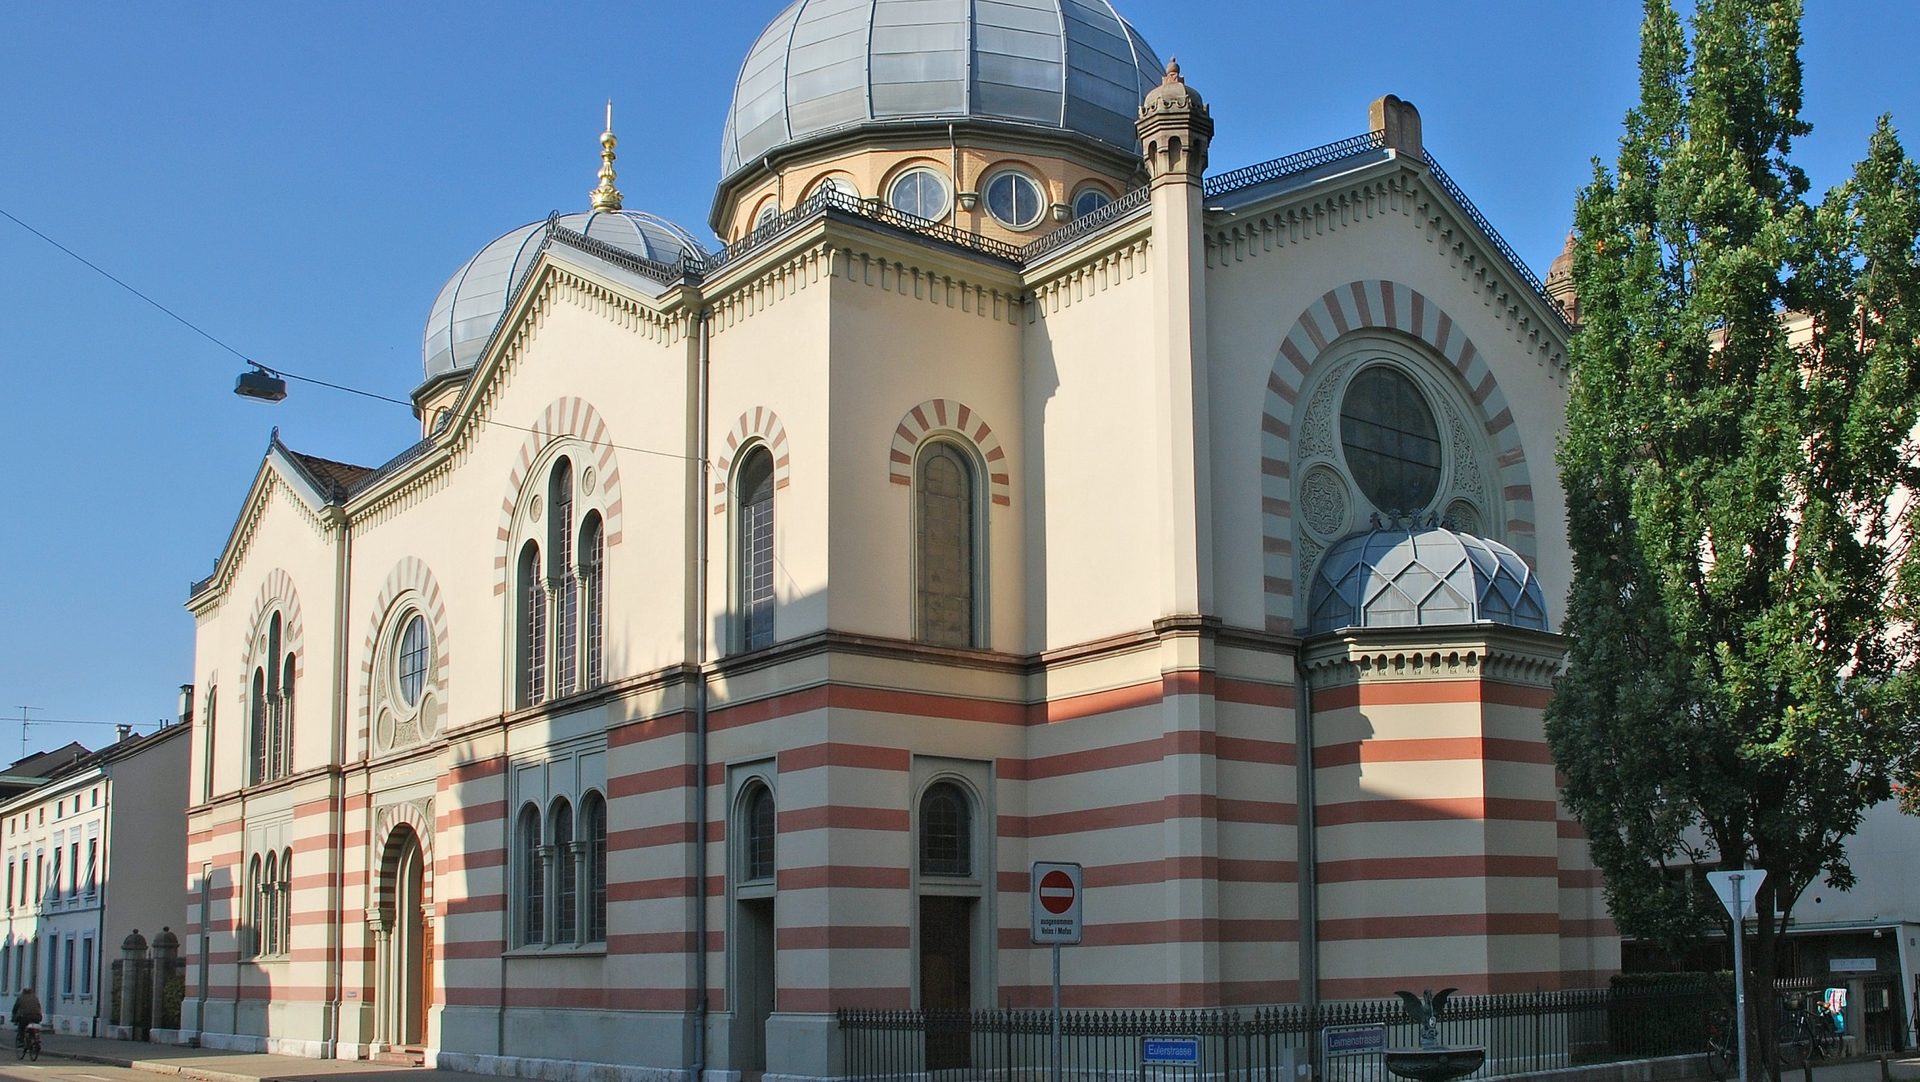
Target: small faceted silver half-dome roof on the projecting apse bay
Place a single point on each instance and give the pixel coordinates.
(1422, 578)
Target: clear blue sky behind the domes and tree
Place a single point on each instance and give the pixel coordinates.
(300, 181)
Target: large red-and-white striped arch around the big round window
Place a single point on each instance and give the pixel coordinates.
(1374, 306)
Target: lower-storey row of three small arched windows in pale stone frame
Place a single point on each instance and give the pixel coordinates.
(564, 872)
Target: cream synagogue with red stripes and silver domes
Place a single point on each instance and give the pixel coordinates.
(1009, 490)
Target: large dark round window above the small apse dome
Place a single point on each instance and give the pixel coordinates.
(1391, 440)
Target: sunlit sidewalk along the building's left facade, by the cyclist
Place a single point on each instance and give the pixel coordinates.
(210, 1066)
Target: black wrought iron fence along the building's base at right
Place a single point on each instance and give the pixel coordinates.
(1522, 1035)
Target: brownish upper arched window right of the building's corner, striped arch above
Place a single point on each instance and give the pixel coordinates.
(946, 561)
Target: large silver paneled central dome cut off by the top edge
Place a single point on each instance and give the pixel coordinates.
(828, 64)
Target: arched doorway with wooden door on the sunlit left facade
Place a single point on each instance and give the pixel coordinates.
(406, 949)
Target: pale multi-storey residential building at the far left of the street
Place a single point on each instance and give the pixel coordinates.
(68, 901)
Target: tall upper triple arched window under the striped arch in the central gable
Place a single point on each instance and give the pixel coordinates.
(560, 598)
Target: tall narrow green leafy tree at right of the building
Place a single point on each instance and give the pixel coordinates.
(1742, 663)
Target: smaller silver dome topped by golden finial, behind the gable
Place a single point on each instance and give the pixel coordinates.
(475, 296)
